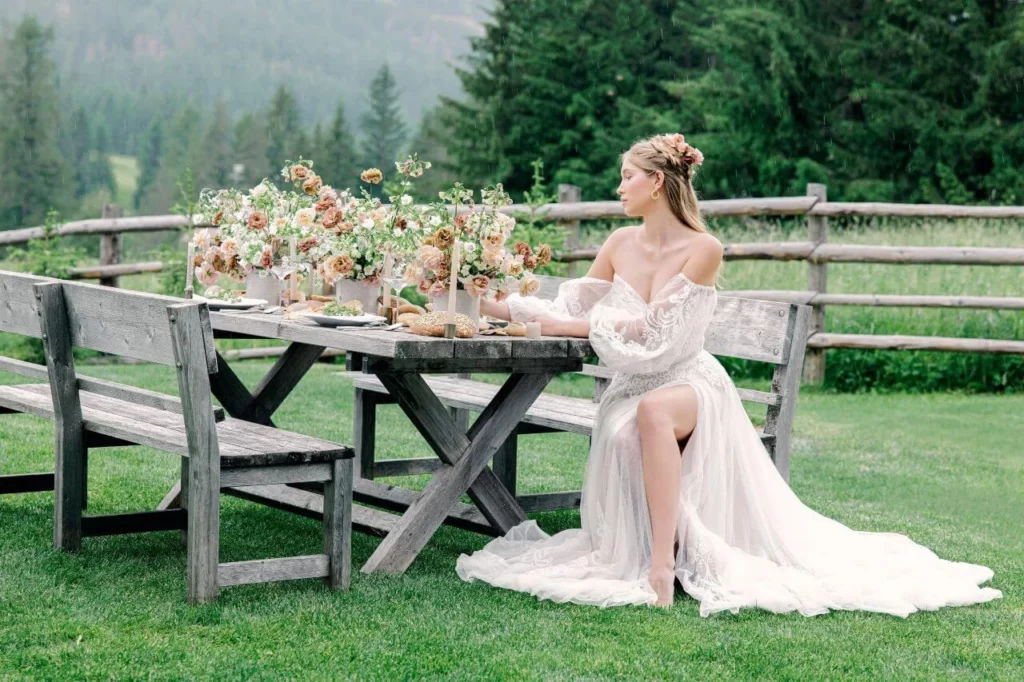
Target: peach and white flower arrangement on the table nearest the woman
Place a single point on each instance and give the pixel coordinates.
(485, 263)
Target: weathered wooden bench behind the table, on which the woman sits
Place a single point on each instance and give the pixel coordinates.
(763, 331)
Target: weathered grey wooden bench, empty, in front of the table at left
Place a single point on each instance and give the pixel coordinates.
(216, 454)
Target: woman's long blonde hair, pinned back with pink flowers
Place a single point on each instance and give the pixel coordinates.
(662, 153)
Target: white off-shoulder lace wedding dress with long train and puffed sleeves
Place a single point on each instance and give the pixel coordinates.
(745, 538)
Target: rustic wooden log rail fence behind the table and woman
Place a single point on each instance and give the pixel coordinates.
(571, 210)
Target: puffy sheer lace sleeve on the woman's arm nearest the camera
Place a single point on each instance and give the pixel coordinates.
(671, 328)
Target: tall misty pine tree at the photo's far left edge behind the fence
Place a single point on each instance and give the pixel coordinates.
(33, 173)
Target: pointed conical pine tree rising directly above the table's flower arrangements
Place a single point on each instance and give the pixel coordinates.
(382, 126)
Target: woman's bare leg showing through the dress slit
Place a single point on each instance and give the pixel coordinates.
(665, 417)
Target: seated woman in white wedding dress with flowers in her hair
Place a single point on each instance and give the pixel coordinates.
(678, 486)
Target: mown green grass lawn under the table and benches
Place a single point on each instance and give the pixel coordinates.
(945, 470)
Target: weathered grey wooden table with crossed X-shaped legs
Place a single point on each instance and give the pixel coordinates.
(399, 359)
